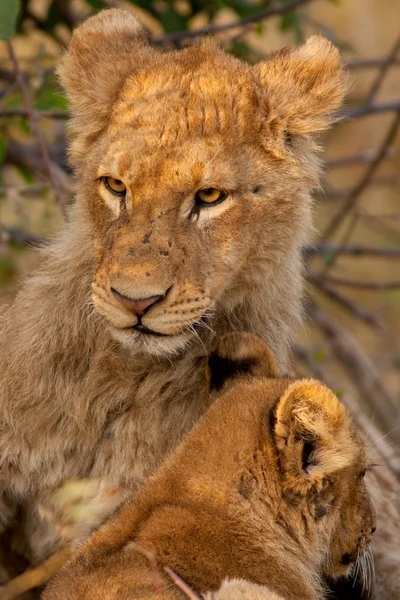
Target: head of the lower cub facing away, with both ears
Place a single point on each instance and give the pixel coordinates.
(302, 462)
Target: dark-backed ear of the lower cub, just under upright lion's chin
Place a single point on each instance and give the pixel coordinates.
(239, 353)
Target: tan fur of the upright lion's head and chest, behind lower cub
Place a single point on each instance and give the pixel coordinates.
(81, 393)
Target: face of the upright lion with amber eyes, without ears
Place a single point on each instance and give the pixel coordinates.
(180, 234)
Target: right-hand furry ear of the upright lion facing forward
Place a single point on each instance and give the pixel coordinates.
(302, 87)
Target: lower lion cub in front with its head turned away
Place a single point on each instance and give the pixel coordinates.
(268, 488)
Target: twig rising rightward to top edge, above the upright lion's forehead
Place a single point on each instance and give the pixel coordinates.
(274, 10)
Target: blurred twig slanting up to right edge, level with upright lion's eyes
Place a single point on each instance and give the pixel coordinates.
(358, 190)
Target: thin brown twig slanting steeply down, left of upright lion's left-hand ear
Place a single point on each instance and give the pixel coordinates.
(33, 121)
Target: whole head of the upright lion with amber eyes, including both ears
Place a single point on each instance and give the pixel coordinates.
(195, 170)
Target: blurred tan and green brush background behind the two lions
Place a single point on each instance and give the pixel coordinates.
(351, 336)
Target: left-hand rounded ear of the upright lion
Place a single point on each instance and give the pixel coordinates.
(103, 51)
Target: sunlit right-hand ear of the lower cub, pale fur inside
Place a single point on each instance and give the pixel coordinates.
(314, 435)
